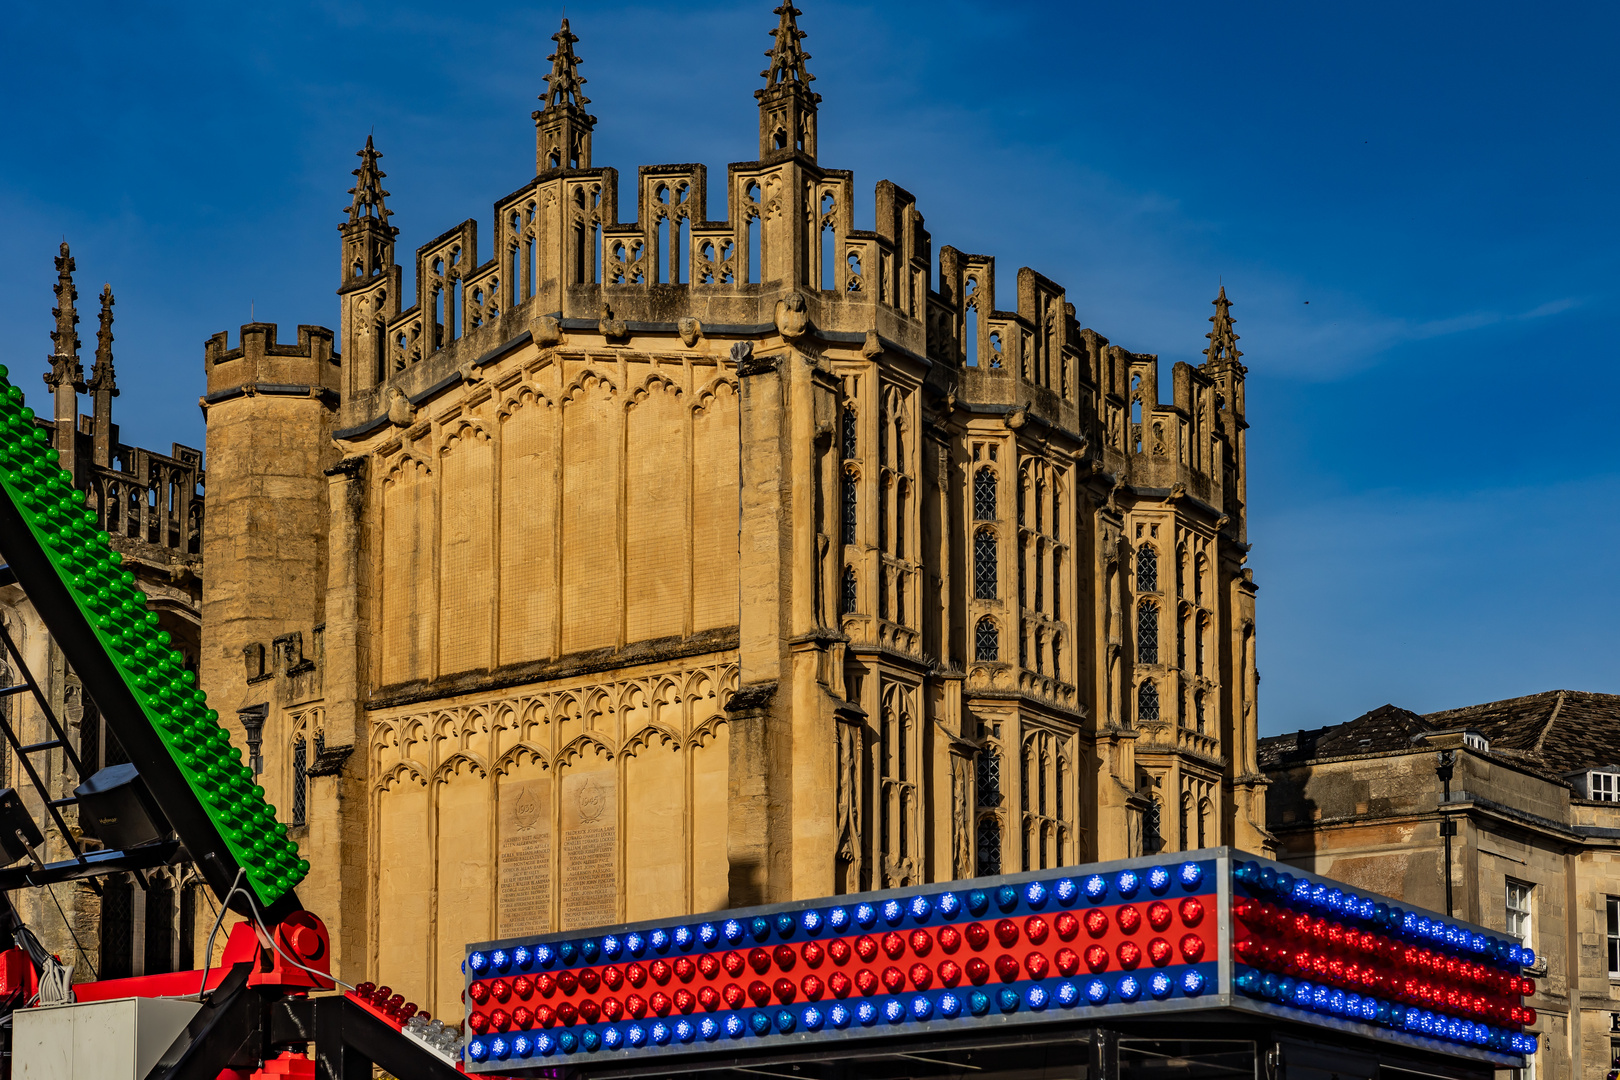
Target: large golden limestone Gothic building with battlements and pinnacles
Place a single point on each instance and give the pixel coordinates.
(667, 564)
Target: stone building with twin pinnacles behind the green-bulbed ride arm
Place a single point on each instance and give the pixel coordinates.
(151, 504)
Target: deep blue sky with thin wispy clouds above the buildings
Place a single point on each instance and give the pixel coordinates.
(1435, 478)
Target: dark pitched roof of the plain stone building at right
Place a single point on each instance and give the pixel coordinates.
(1554, 733)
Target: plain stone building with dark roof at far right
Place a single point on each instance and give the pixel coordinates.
(1527, 791)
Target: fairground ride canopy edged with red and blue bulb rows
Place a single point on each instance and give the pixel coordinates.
(1198, 933)
